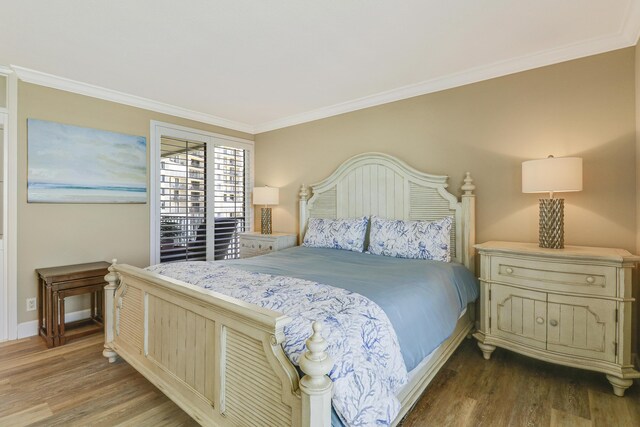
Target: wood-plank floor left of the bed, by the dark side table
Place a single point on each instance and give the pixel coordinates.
(74, 385)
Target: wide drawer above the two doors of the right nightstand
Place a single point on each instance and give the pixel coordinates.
(555, 276)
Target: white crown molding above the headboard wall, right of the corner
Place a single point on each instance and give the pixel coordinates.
(627, 36)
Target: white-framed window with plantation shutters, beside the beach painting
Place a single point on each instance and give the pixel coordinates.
(200, 195)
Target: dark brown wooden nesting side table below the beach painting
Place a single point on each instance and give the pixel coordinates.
(57, 283)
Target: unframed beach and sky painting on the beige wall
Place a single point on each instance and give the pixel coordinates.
(71, 164)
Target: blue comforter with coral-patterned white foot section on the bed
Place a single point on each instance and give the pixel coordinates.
(399, 310)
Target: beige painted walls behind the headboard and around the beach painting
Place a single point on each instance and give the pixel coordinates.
(584, 107)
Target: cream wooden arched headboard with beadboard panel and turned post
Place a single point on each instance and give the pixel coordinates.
(379, 184)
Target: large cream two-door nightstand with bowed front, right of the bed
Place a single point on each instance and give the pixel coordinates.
(569, 306)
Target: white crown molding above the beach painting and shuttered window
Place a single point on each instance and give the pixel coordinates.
(62, 83)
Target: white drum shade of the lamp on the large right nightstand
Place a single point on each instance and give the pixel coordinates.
(554, 174)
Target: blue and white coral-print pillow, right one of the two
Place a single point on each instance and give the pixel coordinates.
(411, 239)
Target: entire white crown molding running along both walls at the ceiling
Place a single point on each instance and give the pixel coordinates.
(627, 35)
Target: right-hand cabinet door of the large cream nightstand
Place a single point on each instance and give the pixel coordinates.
(582, 327)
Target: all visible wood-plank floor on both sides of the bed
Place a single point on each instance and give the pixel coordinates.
(73, 385)
